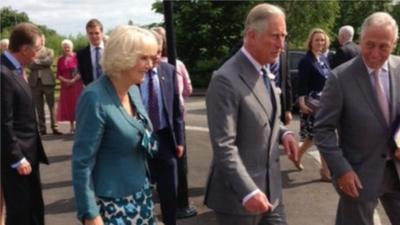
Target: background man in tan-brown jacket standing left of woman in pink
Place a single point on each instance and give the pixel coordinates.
(42, 82)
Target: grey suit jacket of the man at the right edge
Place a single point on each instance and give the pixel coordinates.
(350, 107)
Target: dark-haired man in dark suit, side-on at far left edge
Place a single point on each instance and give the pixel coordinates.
(21, 145)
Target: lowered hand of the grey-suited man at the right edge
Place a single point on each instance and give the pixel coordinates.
(349, 183)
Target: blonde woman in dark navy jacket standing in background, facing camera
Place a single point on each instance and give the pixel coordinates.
(313, 71)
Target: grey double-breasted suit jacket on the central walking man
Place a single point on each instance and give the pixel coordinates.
(244, 140)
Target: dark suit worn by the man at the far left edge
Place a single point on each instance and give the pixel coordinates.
(20, 139)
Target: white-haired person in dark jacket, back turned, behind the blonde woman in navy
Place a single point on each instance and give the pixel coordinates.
(348, 49)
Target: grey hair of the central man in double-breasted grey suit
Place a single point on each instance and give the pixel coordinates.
(257, 17)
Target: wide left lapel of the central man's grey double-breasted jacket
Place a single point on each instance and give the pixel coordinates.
(251, 77)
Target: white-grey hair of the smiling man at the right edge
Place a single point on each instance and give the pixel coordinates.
(380, 19)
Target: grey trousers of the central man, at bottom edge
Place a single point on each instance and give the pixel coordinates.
(276, 217)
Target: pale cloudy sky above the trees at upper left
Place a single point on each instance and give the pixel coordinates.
(69, 17)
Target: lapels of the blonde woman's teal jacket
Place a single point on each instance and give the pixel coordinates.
(114, 97)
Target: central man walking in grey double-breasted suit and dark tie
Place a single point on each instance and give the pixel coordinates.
(243, 108)
